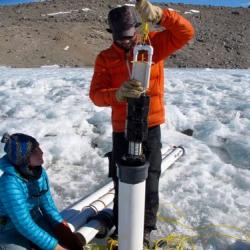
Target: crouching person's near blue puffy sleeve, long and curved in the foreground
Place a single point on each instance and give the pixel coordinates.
(14, 202)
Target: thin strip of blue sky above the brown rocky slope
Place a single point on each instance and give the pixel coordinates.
(233, 3)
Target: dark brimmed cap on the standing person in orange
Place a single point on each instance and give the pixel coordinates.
(122, 22)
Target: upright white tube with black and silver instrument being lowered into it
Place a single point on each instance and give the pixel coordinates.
(133, 167)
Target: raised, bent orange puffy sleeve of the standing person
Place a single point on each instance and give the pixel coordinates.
(178, 31)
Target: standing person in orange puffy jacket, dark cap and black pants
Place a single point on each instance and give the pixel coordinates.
(111, 85)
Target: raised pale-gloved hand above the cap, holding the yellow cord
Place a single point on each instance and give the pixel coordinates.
(148, 11)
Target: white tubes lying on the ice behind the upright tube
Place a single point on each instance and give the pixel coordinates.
(81, 215)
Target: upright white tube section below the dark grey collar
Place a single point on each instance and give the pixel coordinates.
(132, 198)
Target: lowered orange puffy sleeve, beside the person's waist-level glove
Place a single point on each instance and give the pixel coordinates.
(101, 92)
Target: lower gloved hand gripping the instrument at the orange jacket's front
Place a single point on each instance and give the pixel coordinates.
(130, 88)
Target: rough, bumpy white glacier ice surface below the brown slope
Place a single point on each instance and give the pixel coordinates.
(207, 192)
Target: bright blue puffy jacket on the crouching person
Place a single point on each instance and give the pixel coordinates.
(18, 197)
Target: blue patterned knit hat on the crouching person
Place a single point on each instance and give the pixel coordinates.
(19, 147)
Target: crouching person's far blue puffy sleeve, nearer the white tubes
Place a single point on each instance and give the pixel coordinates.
(48, 206)
